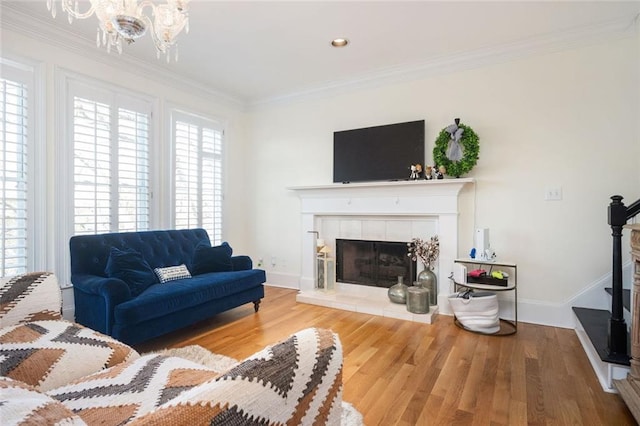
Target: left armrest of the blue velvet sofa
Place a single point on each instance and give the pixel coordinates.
(95, 299)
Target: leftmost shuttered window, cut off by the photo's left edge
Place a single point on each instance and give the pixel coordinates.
(18, 161)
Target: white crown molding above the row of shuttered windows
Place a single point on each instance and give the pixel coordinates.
(14, 19)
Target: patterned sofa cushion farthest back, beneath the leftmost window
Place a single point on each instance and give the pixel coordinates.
(29, 297)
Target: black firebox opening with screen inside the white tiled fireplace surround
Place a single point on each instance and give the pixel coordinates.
(373, 263)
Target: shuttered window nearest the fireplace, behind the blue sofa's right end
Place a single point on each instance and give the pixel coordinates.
(197, 182)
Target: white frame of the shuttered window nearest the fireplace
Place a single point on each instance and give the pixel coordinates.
(178, 114)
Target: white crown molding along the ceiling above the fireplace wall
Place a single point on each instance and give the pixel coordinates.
(545, 44)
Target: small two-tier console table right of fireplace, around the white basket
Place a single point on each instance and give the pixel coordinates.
(507, 326)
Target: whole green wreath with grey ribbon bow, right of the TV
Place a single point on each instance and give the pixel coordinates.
(457, 149)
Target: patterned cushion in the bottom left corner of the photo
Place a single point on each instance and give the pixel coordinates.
(22, 404)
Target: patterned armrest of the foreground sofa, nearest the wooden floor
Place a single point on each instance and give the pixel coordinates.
(297, 381)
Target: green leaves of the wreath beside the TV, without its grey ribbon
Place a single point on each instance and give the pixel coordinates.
(470, 151)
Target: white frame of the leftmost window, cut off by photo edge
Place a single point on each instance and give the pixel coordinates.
(31, 73)
